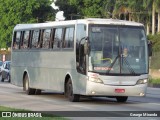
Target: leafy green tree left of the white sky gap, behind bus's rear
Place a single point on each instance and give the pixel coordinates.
(14, 12)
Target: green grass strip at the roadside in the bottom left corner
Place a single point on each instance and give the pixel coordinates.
(44, 115)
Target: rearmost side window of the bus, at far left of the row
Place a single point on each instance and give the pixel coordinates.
(16, 42)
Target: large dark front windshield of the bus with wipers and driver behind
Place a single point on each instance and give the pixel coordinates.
(118, 50)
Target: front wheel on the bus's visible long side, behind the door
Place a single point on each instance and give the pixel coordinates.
(69, 92)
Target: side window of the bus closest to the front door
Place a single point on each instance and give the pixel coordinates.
(69, 37)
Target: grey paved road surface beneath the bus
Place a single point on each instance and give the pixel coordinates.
(13, 96)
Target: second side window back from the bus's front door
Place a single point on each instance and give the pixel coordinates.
(57, 38)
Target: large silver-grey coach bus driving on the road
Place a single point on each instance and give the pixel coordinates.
(84, 57)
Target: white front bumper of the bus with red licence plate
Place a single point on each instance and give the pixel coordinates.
(98, 89)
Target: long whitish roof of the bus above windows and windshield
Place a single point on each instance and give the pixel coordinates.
(72, 22)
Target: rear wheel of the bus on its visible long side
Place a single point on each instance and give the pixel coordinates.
(28, 90)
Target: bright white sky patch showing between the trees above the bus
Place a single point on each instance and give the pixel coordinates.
(59, 14)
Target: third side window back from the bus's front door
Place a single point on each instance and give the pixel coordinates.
(46, 38)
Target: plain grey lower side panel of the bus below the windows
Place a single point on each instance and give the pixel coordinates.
(47, 70)
